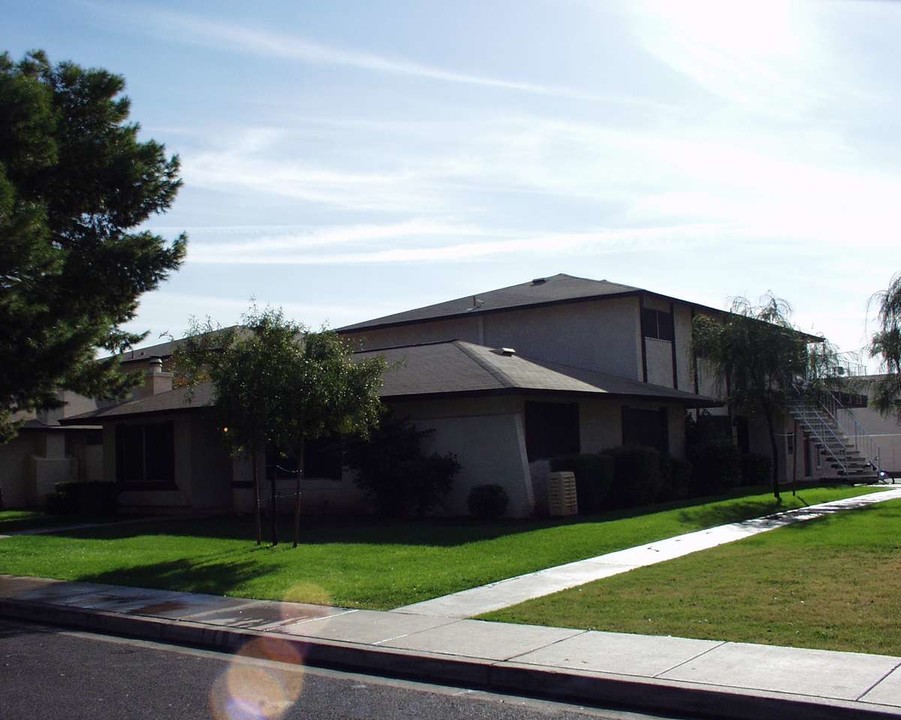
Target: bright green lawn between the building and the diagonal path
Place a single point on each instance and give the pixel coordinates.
(369, 564)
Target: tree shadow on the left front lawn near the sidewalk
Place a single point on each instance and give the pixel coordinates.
(214, 577)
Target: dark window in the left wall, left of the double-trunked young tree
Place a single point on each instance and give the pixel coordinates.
(145, 454)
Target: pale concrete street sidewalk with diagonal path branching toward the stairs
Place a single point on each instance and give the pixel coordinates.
(666, 675)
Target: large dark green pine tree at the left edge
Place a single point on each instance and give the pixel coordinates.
(75, 182)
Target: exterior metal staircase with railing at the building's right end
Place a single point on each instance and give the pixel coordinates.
(849, 450)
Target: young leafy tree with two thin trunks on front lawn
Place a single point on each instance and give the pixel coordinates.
(277, 384)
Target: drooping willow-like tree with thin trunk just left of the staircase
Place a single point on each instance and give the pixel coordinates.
(756, 353)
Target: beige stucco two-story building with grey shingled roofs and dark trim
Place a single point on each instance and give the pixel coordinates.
(504, 378)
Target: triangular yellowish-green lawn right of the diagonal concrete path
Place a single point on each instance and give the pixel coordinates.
(831, 583)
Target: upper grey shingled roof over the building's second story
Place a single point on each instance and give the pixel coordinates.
(540, 291)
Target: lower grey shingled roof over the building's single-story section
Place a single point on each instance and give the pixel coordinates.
(441, 370)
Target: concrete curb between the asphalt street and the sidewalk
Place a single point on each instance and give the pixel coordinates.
(507, 677)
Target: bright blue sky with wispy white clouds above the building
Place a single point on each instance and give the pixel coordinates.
(347, 159)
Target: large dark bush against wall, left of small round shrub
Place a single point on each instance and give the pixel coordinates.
(392, 469)
